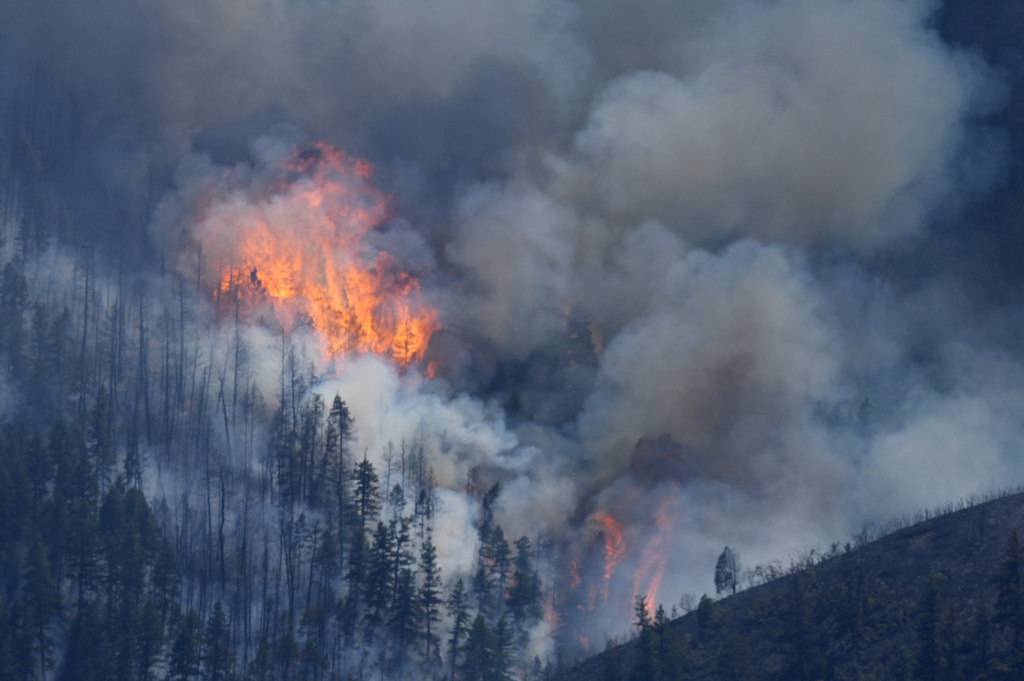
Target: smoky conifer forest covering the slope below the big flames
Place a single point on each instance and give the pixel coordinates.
(284, 558)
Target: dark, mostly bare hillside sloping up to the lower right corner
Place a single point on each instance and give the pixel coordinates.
(941, 600)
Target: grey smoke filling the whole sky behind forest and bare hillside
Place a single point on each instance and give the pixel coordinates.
(738, 227)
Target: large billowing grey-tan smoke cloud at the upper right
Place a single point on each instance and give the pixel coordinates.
(786, 130)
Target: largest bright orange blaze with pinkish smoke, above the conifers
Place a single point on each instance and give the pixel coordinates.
(301, 250)
